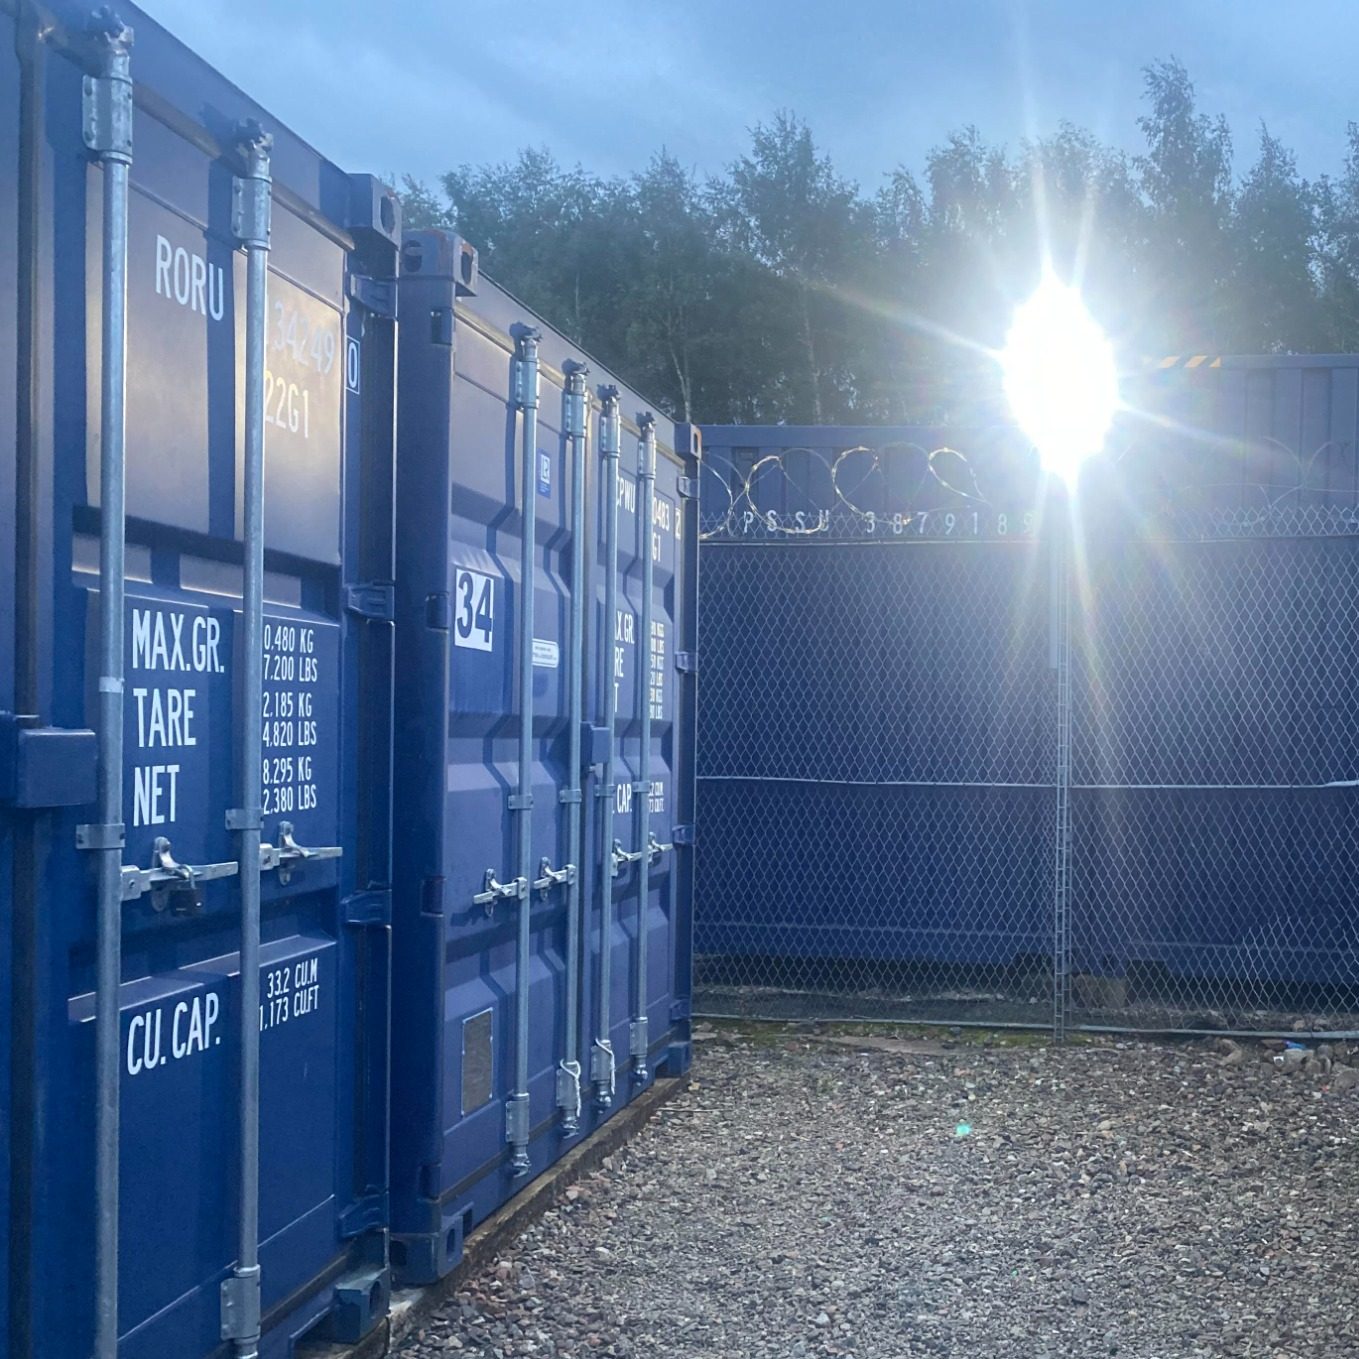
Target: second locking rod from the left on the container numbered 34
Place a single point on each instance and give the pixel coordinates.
(569, 1074)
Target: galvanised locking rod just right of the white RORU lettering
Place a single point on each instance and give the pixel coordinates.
(251, 203)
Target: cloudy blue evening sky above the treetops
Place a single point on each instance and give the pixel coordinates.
(426, 85)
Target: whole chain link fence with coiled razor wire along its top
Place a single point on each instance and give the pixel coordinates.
(982, 760)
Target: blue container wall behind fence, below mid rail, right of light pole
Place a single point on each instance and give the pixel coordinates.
(1244, 885)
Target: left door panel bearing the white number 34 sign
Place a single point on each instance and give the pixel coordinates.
(484, 748)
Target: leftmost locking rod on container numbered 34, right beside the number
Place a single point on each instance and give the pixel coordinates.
(527, 399)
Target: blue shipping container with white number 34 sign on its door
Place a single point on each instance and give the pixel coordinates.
(544, 741)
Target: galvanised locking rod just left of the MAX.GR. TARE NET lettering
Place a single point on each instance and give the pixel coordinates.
(108, 134)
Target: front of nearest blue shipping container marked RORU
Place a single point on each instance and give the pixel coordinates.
(190, 816)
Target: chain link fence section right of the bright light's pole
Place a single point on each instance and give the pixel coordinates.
(1216, 743)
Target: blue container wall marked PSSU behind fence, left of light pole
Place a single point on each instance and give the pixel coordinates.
(876, 725)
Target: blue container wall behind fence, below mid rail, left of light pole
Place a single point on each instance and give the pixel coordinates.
(816, 872)
